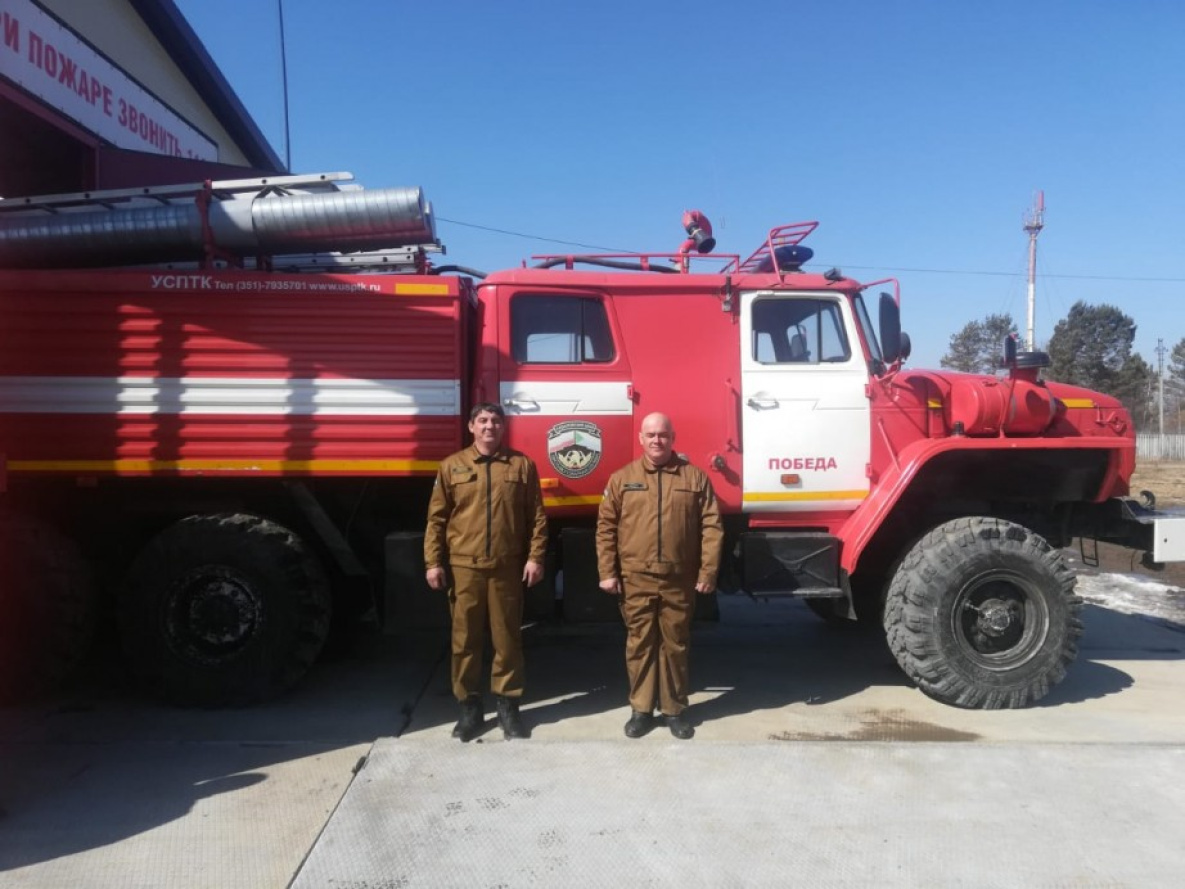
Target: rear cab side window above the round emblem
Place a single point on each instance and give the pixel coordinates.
(560, 330)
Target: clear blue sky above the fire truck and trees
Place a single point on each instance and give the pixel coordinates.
(915, 132)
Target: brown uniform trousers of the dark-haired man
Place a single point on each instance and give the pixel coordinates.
(483, 598)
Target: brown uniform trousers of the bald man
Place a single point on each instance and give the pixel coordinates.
(658, 612)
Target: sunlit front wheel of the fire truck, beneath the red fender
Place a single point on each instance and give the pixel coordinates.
(982, 613)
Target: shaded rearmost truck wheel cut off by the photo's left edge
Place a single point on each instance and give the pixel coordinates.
(48, 607)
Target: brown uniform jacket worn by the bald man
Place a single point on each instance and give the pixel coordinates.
(661, 521)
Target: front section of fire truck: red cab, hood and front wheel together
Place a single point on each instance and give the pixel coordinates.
(932, 503)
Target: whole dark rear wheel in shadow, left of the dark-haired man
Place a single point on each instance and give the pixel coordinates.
(223, 610)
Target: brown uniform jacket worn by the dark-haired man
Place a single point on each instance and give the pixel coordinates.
(486, 513)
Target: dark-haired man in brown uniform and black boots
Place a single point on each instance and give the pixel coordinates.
(486, 523)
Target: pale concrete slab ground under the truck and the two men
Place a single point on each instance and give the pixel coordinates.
(815, 764)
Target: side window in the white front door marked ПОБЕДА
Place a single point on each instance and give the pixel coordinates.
(798, 331)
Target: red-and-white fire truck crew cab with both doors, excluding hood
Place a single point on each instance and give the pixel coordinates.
(732, 357)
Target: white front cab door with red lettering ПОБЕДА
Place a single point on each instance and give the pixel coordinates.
(804, 405)
